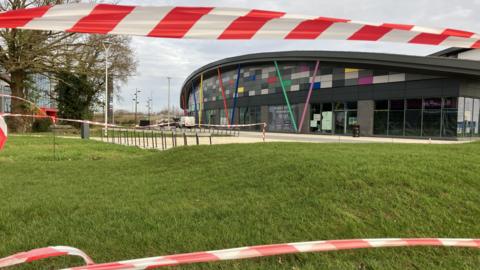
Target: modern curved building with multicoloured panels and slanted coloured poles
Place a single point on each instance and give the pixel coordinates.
(436, 96)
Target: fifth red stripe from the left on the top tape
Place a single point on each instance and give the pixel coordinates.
(311, 29)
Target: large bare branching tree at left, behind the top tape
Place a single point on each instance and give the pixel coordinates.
(26, 52)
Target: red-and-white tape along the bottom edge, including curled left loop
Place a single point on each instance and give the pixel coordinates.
(236, 253)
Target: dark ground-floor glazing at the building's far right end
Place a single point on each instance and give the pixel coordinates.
(428, 117)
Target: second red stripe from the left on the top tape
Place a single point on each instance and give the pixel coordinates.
(103, 19)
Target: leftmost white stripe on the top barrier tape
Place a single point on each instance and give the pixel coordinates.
(61, 17)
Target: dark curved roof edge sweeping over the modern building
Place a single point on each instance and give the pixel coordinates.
(415, 64)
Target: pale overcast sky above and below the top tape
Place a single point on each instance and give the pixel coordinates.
(177, 58)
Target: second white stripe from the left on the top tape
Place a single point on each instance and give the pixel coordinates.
(141, 21)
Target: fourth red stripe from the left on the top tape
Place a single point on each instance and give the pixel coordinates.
(247, 26)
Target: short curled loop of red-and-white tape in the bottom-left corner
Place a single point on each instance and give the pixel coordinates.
(43, 253)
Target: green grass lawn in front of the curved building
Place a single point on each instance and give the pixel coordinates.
(116, 202)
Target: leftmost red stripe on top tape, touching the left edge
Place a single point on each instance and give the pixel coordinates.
(20, 17)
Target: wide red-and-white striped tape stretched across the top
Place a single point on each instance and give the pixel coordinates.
(223, 24)
